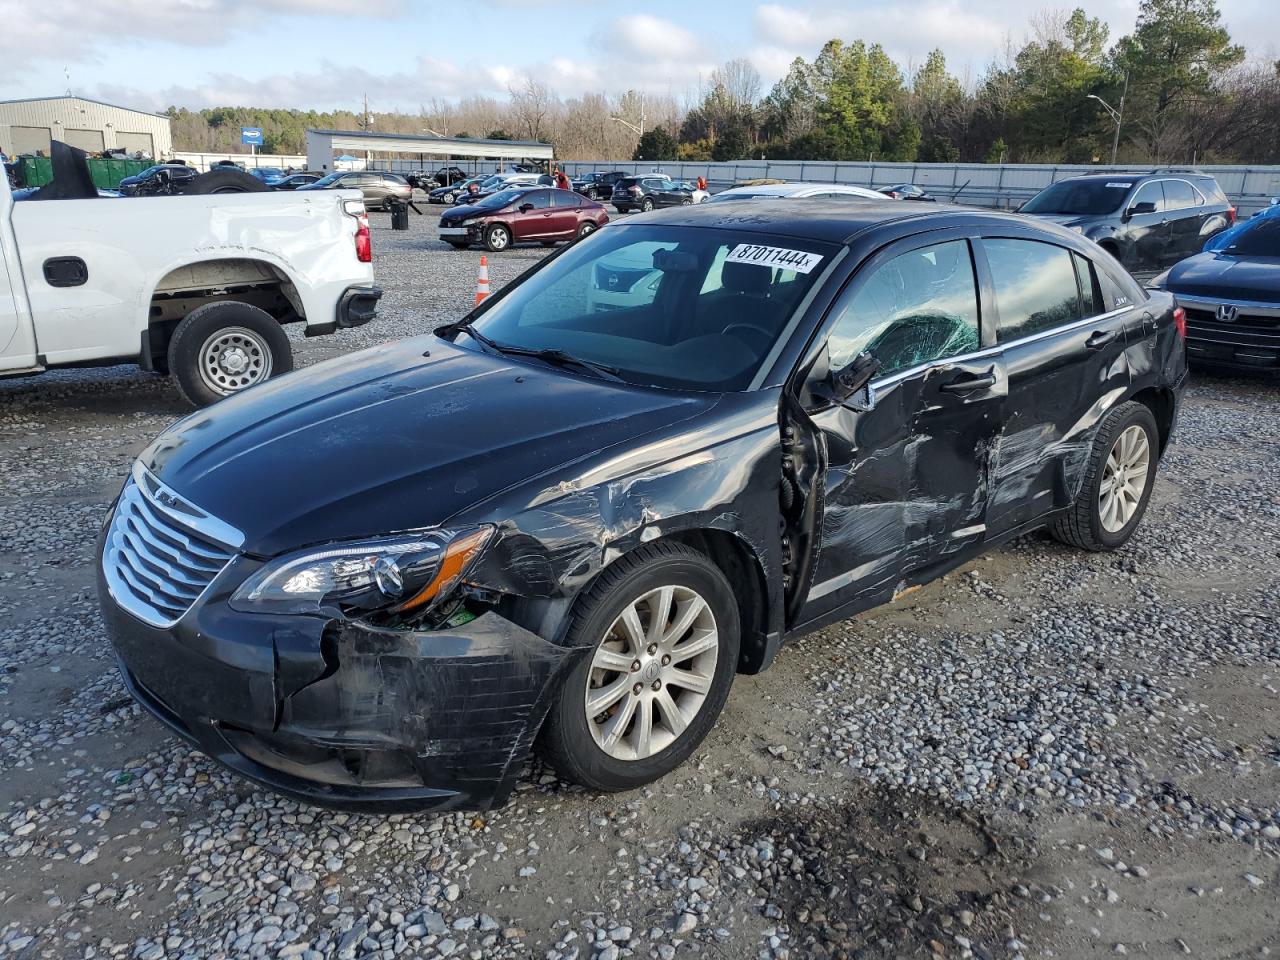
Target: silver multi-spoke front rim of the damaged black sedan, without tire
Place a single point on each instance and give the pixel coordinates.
(652, 673)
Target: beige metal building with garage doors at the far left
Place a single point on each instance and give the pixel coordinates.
(29, 126)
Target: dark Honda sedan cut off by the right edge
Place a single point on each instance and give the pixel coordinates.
(1232, 298)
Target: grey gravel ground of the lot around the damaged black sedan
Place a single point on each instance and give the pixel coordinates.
(1044, 755)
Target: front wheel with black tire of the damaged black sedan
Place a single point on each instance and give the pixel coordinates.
(570, 738)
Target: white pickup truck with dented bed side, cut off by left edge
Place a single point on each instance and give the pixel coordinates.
(193, 286)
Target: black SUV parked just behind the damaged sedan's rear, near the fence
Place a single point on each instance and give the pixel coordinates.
(1146, 222)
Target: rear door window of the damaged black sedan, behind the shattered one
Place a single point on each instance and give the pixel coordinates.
(1035, 287)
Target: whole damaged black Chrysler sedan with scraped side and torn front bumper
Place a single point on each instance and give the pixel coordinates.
(573, 518)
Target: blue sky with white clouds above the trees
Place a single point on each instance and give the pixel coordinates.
(327, 54)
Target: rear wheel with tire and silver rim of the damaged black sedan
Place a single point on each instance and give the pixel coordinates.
(1118, 482)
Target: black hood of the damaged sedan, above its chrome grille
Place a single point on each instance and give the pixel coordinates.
(388, 440)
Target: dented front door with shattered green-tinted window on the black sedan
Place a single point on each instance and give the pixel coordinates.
(906, 486)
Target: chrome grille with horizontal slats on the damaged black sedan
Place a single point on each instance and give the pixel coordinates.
(162, 551)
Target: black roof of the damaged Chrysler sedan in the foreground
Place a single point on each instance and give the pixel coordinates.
(834, 223)
